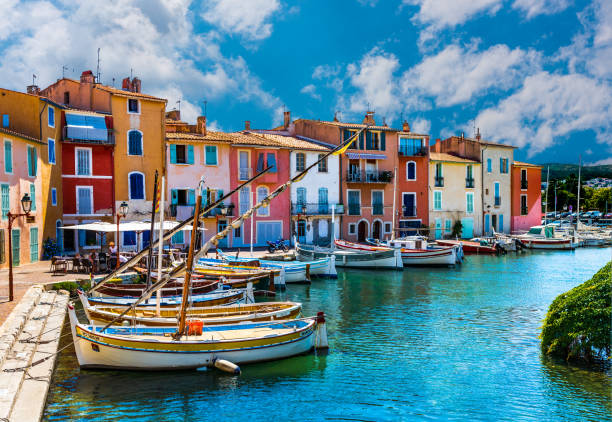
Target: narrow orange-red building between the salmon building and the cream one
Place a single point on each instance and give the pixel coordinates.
(412, 182)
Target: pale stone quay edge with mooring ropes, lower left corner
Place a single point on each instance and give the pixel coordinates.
(31, 333)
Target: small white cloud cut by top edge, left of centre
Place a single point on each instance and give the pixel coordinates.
(246, 18)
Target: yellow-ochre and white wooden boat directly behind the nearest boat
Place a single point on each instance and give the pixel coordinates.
(210, 315)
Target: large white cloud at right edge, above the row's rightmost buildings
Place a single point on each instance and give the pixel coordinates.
(549, 106)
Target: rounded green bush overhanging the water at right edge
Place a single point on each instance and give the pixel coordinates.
(578, 323)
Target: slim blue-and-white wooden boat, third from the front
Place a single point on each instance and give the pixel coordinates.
(218, 297)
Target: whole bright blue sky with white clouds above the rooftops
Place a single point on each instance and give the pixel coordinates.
(532, 73)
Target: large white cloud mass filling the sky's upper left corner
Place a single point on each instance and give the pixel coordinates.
(154, 38)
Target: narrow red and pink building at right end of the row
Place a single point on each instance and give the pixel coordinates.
(526, 196)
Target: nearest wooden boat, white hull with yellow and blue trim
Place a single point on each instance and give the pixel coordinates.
(154, 348)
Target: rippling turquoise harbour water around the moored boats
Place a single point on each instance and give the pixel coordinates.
(419, 344)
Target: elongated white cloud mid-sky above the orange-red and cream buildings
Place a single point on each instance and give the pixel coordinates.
(456, 75)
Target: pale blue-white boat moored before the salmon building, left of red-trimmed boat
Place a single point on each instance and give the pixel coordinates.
(389, 258)
